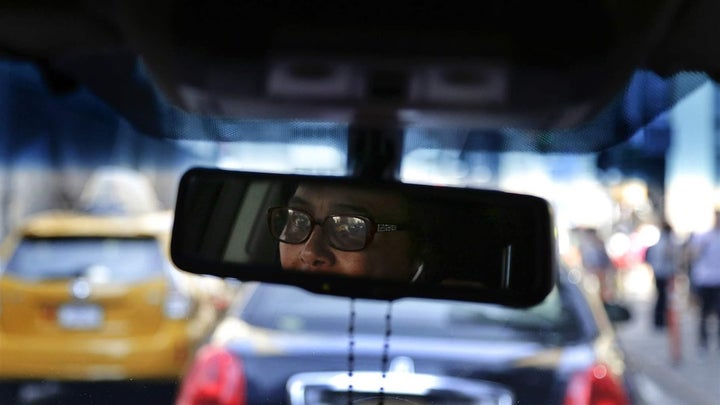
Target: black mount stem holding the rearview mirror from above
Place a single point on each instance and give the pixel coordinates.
(374, 152)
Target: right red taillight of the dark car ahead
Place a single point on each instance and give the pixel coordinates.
(596, 386)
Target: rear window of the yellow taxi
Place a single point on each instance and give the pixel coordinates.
(101, 259)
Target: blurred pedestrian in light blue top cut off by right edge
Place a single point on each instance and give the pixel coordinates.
(705, 276)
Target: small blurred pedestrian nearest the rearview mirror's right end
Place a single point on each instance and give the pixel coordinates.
(596, 261)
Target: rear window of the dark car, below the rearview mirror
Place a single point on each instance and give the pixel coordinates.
(292, 309)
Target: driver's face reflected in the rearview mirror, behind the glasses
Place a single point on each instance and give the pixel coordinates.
(387, 255)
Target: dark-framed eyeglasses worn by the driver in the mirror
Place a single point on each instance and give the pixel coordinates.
(343, 232)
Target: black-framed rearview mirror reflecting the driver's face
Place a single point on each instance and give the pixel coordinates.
(362, 238)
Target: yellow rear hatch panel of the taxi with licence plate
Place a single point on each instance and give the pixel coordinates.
(78, 306)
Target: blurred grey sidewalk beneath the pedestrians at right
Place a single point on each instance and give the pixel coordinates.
(696, 379)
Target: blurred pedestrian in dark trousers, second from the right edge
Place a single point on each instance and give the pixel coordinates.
(664, 258)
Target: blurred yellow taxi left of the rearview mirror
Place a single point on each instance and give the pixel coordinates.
(90, 297)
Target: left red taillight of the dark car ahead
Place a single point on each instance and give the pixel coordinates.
(215, 378)
